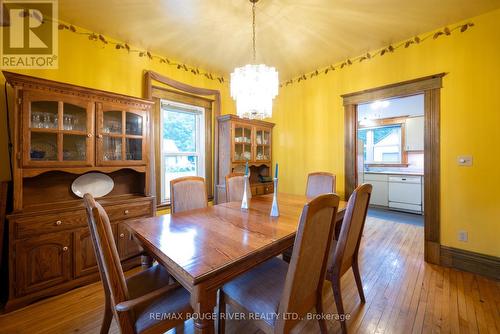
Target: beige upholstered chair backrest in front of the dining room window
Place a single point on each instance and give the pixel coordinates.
(188, 193)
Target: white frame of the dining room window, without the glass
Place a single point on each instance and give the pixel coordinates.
(200, 139)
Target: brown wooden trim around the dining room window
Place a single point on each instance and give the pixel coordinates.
(185, 89)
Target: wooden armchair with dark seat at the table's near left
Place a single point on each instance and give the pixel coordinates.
(132, 300)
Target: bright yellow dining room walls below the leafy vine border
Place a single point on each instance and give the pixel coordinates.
(309, 132)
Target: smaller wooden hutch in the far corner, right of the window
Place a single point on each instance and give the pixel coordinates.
(242, 140)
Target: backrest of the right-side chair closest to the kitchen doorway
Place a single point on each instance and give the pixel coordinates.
(347, 246)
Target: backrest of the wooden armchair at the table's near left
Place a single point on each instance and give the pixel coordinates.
(108, 260)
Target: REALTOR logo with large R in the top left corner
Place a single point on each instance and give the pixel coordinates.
(29, 34)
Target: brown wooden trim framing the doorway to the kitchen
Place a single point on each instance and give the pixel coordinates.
(429, 86)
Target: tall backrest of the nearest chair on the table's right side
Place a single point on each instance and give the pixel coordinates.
(307, 269)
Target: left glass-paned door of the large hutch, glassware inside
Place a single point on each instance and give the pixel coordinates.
(58, 131)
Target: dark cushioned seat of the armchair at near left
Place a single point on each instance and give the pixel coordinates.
(173, 302)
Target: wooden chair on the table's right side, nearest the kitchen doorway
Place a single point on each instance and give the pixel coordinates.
(344, 251)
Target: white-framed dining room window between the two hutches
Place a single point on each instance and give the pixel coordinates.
(182, 144)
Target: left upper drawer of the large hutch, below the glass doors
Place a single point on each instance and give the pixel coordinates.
(31, 226)
